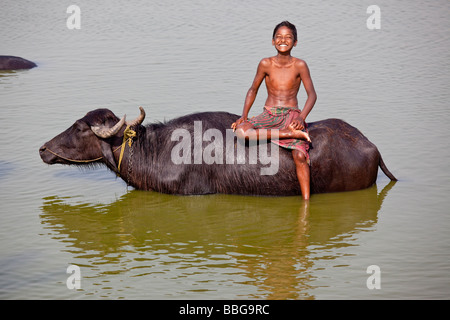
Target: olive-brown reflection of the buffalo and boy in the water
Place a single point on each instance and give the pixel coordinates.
(270, 244)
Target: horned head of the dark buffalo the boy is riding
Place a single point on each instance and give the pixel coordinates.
(90, 139)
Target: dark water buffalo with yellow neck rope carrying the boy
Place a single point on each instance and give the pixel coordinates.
(342, 158)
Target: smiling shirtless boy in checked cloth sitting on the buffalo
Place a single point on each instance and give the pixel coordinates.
(283, 75)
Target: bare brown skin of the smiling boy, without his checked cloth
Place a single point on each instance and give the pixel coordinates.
(283, 75)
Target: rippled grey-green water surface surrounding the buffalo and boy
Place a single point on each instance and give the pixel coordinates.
(176, 58)
